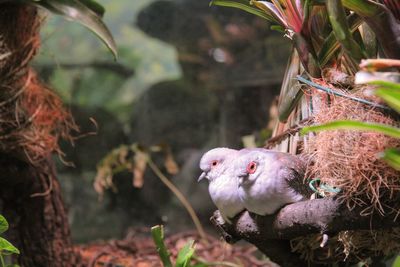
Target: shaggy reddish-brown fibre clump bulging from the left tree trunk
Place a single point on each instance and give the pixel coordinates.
(32, 121)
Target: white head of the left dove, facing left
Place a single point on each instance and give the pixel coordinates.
(215, 162)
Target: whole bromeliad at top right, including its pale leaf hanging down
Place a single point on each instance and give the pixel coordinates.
(327, 34)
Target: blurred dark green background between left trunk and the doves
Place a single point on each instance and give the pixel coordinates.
(189, 77)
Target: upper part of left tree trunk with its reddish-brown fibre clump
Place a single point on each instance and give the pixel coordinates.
(32, 116)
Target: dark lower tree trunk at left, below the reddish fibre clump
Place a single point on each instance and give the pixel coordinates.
(33, 205)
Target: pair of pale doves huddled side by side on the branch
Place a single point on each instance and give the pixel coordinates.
(259, 180)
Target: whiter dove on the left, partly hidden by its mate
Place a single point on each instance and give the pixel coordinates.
(217, 166)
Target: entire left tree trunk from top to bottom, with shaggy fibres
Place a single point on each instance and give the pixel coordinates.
(29, 192)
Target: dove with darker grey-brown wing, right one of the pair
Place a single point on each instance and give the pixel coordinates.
(269, 180)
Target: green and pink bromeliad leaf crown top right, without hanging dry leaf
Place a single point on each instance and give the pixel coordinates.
(305, 25)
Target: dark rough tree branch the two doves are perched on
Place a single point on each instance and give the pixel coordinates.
(271, 234)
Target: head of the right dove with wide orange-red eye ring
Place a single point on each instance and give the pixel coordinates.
(248, 166)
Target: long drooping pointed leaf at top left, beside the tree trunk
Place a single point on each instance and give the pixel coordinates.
(79, 12)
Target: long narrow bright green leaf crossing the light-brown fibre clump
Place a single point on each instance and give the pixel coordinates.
(354, 125)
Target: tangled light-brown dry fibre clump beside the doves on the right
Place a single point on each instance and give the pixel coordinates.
(350, 160)
